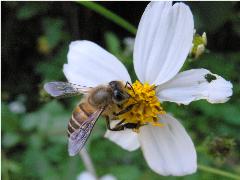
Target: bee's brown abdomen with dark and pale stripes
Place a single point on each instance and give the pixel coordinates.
(79, 115)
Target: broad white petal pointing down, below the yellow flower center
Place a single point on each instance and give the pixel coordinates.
(168, 150)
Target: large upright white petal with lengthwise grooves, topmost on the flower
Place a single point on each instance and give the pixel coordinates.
(163, 41)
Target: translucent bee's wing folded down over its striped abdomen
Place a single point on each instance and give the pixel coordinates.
(79, 137)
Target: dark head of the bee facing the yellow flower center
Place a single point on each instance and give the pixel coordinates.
(119, 93)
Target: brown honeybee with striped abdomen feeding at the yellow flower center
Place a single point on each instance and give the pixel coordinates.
(105, 100)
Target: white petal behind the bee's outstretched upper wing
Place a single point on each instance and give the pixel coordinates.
(90, 65)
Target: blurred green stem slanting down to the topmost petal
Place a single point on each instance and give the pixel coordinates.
(109, 15)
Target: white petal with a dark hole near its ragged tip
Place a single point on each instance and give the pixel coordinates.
(193, 85)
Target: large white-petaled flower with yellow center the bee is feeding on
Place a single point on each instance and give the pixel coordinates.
(163, 40)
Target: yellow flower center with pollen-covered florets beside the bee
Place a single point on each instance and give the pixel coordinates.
(147, 107)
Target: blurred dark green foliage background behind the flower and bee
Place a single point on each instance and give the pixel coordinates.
(35, 43)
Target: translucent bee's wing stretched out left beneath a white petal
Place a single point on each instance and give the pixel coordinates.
(64, 89)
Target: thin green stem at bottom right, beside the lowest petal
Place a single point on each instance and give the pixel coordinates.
(218, 171)
